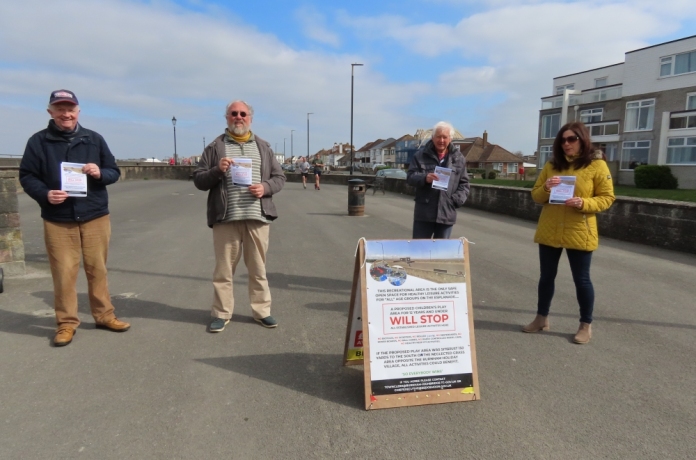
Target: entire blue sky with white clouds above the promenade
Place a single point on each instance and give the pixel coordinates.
(481, 65)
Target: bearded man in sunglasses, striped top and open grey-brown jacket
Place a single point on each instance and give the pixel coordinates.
(240, 214)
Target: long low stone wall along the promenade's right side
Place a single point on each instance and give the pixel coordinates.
(667, 224)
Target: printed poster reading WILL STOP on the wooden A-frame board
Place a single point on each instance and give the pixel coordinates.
(419, 325)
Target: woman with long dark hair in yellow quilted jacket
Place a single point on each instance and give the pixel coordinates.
(571, 225)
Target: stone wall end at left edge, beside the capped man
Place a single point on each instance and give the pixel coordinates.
(11, 244)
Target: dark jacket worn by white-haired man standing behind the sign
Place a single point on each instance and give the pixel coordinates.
(433, 205)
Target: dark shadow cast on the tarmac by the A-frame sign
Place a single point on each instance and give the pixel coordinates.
(315, 375)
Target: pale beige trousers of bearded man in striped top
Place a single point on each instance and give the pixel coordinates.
(230, 241)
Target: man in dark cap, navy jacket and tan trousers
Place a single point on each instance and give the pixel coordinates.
(74, 226)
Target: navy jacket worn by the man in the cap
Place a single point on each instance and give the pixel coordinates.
(39, 172)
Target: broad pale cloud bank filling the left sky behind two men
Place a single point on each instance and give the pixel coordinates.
(135, 65)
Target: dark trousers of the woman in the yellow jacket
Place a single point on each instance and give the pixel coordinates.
(579, 266)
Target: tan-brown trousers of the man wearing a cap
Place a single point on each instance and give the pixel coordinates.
(65, 243)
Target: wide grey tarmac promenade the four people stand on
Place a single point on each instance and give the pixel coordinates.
(168, 389)
